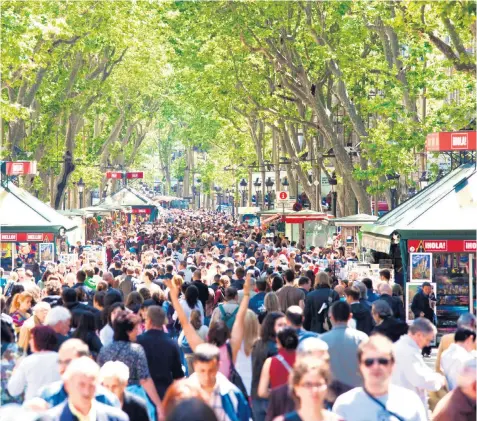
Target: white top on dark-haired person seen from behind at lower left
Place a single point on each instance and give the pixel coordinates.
(33, 372)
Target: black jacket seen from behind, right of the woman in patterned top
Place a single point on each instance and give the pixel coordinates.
(163, 358)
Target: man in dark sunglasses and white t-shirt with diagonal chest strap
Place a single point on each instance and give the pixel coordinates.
(378, 399)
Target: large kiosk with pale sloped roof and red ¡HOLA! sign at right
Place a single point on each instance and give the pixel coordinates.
(432, 237)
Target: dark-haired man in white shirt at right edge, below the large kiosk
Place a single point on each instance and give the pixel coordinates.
(455, 357)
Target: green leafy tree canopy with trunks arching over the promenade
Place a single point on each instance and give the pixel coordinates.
(306, 87)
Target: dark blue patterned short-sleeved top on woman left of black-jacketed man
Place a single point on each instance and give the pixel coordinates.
(129, 353)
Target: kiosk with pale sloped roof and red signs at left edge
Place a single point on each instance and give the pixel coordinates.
(31, 231)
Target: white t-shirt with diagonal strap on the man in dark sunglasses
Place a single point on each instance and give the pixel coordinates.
(356, 405)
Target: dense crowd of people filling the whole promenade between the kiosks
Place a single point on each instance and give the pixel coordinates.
(198, 317)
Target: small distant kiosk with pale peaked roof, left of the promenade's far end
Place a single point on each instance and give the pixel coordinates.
(138, 207)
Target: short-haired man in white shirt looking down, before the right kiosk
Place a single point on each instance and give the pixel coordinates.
(410, 369)
